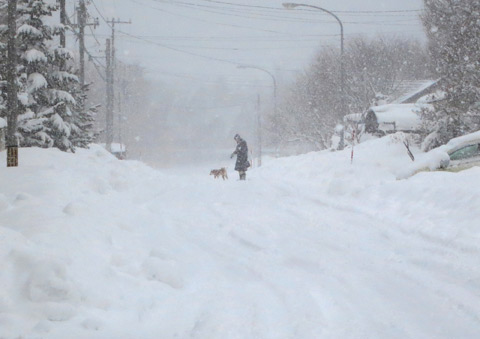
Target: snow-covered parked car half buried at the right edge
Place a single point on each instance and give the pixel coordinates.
(463, 152)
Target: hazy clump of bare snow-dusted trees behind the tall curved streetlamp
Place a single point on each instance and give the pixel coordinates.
(313, 106)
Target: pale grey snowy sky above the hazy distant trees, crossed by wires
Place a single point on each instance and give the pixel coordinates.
(170, 34)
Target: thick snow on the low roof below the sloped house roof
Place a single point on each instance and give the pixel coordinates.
(405, 116)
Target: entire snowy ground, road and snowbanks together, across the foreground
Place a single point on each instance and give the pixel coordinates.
(308, 247)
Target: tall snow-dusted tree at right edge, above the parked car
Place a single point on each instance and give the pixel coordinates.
(453, 30)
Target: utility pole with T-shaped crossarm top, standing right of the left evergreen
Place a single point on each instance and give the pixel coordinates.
(110, 54)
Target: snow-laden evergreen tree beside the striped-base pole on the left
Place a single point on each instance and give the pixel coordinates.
(51, 109)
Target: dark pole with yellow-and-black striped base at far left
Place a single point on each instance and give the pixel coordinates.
(12, 104)
